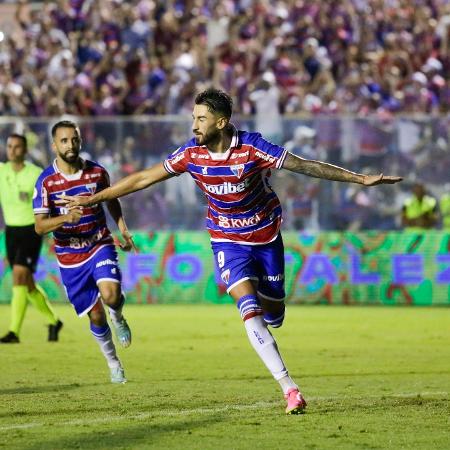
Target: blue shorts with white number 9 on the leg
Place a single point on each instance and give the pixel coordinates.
(261, 263)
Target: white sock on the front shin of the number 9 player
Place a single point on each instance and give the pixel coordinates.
(266, 347)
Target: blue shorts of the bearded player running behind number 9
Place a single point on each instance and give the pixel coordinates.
(81, 281)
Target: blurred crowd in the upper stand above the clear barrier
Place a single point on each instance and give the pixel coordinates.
(112, 57)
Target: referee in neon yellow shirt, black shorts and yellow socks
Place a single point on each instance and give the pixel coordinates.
(23, 245)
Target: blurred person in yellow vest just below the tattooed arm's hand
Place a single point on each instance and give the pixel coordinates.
(420, 210)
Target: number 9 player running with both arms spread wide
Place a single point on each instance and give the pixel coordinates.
(244, 216)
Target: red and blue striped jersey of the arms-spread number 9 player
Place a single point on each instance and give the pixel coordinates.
(242, 207)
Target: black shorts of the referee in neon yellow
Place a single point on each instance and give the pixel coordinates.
(23, 246)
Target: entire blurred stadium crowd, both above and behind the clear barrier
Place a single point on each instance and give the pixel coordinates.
(324, 79)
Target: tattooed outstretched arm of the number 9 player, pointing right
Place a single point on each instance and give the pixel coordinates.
(319, 169)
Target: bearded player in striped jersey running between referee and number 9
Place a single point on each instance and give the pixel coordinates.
(83, 243)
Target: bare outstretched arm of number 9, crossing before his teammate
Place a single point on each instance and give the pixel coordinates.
(132, 183)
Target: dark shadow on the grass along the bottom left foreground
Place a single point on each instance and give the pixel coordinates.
(128, 436)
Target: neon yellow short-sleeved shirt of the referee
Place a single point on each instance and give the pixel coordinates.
(16, 193)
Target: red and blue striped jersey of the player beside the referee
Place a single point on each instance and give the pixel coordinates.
(74, 243)
